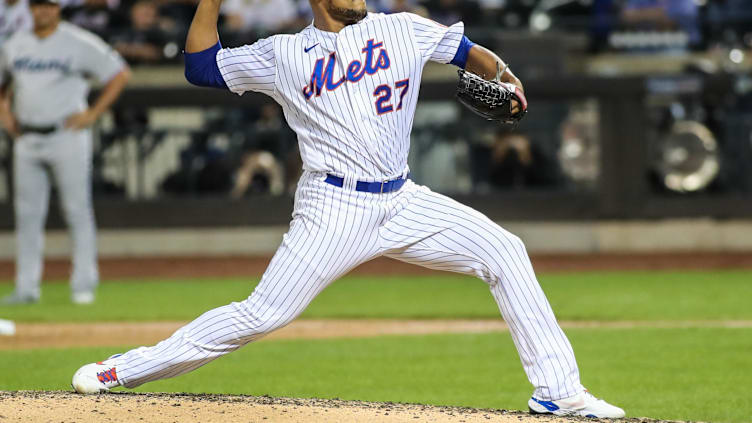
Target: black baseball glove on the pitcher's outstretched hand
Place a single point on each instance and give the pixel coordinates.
(491, 100)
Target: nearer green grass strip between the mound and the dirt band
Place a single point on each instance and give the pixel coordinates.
(688, 374)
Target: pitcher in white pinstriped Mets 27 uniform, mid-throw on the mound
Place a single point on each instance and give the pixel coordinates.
(348, 85)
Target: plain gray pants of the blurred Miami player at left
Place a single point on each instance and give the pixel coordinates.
(64, 157)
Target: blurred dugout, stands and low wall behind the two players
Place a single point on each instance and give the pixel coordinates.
(639, 137)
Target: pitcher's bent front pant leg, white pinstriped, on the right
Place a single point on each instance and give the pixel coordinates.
(437, 232)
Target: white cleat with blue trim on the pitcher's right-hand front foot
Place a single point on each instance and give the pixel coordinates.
(583, 404)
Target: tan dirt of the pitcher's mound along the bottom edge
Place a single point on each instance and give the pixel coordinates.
(64, 407)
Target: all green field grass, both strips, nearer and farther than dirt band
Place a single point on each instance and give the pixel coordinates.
(694, 374)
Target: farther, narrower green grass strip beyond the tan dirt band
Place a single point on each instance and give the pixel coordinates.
(587, 296)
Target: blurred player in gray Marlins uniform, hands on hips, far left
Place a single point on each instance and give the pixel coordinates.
(50, 119)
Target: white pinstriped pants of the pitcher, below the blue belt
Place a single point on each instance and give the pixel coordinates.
(336, 229)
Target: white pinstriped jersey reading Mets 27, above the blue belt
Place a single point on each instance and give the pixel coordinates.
(349, 96)
